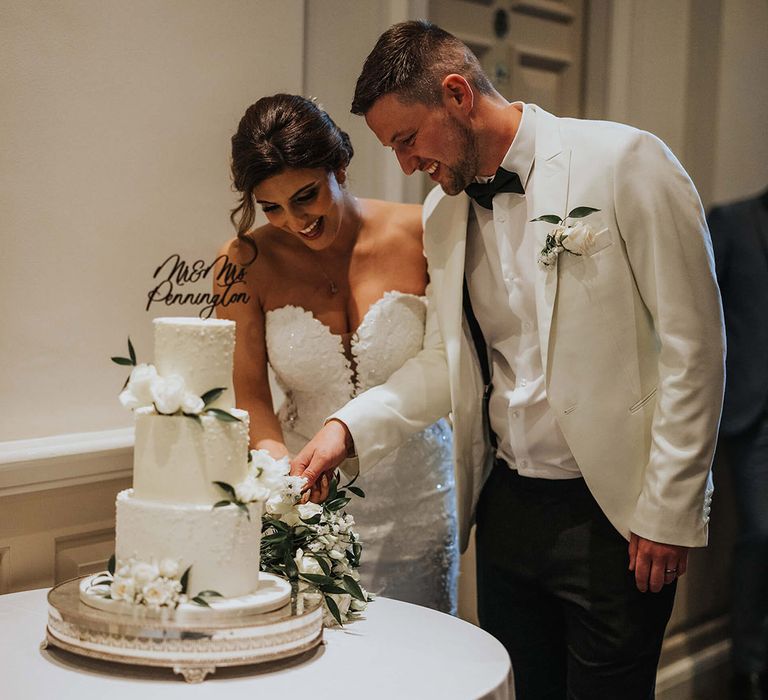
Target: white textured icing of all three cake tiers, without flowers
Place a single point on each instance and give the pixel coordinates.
(169, 513)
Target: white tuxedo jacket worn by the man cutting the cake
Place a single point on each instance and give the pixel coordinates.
(631, 333)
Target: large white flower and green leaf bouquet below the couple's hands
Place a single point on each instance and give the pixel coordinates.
(305, 541)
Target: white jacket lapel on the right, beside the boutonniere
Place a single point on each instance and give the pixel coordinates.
(548, 194)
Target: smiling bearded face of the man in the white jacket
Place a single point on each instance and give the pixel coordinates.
(426, 138)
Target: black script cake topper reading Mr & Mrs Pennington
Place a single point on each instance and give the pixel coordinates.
(174, 273)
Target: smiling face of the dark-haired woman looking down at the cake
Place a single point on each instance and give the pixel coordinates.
(307, 203)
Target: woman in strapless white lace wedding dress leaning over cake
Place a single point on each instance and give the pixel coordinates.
(336, 287)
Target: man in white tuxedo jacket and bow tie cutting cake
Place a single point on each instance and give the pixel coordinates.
(575, 335)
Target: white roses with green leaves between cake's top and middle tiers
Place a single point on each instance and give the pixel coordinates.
(169, 395)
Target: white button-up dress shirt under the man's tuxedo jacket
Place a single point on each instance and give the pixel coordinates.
(501, 266)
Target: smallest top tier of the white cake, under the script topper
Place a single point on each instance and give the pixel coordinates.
(198, 350)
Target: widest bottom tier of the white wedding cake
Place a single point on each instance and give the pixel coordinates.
(221, 545)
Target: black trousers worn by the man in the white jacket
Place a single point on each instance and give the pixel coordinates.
(554, 588)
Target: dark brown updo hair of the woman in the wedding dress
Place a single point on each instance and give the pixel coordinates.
(278, 133)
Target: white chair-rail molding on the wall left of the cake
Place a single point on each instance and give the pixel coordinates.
(65, 460)
